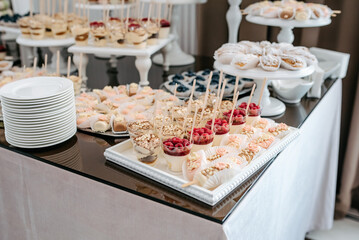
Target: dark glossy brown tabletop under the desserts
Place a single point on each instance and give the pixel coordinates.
(83, 153)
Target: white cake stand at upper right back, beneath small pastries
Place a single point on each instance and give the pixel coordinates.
(286, 32)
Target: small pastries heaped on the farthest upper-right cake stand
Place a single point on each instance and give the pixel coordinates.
(290, 10)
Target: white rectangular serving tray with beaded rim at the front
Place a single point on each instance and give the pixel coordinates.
(123, 155)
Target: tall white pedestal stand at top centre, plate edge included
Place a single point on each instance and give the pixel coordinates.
(176, 57)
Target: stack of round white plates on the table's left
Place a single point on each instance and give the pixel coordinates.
(38, 112)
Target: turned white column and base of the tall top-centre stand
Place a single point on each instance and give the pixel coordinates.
(176, 57)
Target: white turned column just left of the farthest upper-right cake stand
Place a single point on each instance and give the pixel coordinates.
(234, 18)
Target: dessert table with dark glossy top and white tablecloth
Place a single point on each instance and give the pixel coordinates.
(70, 191)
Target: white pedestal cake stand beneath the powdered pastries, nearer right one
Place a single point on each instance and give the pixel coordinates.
(270, 106)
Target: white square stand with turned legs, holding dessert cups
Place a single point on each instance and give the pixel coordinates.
(143, 57)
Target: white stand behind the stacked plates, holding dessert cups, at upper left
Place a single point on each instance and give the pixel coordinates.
(54, 45)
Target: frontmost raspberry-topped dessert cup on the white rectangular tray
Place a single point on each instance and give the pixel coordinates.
(175, 151)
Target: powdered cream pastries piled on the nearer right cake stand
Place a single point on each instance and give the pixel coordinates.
(268, 56)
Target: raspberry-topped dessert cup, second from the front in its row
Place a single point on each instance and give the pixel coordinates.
(202, 139)
